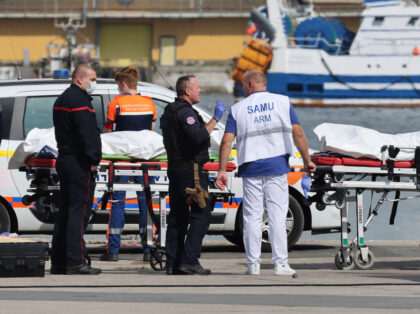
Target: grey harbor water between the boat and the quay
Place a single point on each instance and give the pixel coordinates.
(385, 120)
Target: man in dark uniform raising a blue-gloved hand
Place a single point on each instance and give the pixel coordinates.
(186, 138)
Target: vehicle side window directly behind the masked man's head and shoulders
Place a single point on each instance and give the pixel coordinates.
(38, 112)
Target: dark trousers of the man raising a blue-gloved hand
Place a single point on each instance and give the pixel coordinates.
(186, 228)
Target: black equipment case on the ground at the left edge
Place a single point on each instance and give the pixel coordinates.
(23, 259)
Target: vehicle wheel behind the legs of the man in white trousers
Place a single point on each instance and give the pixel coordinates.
(295, 222)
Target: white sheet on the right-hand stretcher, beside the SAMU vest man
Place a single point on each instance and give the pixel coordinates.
(356, 141)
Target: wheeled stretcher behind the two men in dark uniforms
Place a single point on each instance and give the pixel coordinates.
(45, 187)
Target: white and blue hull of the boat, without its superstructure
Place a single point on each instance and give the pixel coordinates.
(314, 78)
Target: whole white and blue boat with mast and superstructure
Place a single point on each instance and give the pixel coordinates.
(381, 68)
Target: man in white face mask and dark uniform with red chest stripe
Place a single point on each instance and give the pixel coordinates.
(79, 153)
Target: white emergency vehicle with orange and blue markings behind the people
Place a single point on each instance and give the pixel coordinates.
(28, 104)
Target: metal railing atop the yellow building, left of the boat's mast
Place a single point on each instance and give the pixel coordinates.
(51, 7)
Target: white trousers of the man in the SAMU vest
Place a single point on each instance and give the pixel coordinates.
(273, 193)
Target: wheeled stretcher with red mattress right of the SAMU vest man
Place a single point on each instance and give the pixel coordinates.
(342, 180)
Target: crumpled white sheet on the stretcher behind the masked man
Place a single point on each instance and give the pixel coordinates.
(137, 144)
